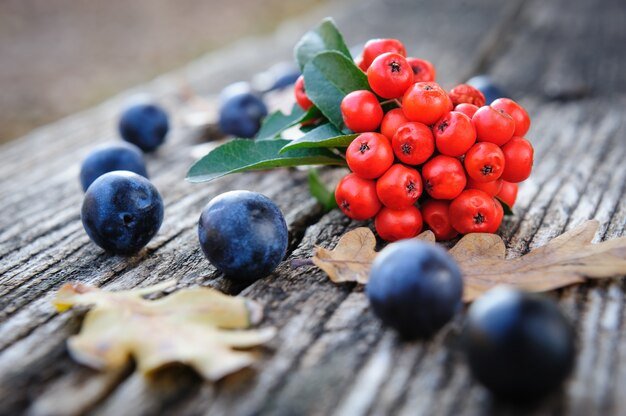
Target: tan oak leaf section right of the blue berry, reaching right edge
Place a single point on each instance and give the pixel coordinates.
(565, 260)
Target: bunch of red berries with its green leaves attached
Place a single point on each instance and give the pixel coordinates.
(420, 156)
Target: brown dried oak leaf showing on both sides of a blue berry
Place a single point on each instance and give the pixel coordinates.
(567, 259)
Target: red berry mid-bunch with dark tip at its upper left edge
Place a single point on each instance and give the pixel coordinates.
(454, 134)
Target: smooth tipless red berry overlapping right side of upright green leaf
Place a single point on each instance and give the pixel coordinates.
(361, 111)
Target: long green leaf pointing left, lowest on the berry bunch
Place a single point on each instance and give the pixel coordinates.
(241, 155)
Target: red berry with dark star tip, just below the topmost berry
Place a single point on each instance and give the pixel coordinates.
(390, 75)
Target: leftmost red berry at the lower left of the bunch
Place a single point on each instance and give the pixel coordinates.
(356, 197)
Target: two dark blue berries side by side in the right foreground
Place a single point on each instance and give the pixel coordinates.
(518, 345)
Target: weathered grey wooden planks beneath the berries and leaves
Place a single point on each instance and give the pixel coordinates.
(331, 356)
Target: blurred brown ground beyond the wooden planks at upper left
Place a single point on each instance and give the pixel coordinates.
(60, 57)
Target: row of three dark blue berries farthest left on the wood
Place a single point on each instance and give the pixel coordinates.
(122, 210)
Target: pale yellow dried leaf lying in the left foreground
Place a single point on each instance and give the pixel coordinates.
(199, 327)
